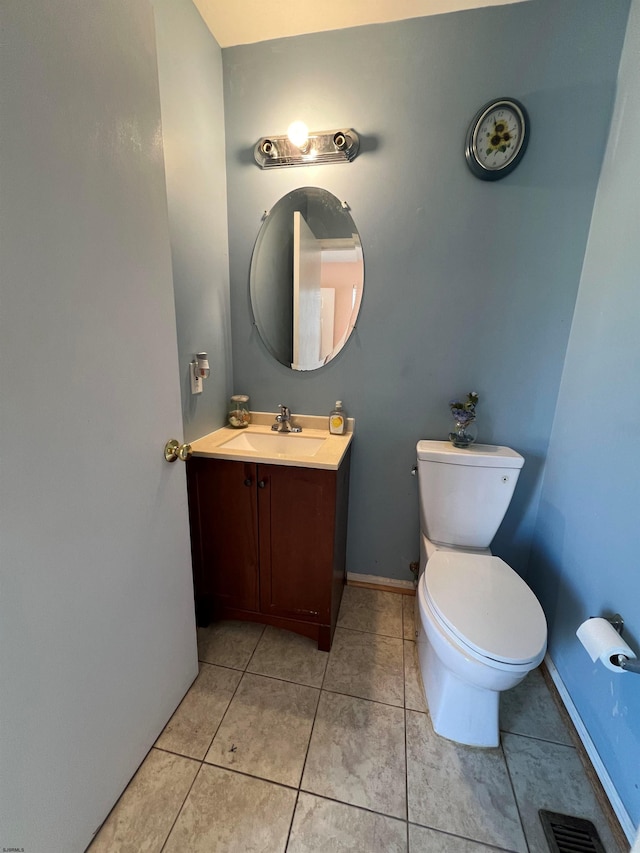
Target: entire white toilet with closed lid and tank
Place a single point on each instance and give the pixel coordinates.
(480, 628)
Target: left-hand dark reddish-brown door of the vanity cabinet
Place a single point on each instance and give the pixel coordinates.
(225, 531)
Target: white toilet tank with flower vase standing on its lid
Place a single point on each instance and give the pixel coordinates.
(465, 492)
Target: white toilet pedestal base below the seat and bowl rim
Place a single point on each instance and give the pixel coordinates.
(459, 711)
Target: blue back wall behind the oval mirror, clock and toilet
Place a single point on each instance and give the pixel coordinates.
(469, 285)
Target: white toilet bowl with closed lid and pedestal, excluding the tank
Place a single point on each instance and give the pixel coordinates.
(480, 631)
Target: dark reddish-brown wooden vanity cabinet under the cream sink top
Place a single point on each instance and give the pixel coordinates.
(268, 543)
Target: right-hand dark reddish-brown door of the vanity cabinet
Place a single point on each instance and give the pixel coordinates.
(297, 532)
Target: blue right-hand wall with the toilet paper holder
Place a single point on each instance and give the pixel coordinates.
(586, 552)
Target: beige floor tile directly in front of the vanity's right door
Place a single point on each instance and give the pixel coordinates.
(283, 654)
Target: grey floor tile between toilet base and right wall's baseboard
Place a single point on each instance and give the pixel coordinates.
(529, 709)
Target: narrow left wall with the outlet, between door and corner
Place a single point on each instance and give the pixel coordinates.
(190, 75)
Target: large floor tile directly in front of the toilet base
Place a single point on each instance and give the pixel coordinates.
(460, 789)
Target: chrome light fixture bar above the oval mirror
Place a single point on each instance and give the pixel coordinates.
(327, 146)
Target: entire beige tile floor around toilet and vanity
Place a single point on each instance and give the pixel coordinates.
(279, 747)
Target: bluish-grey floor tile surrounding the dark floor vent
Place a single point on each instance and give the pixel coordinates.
(551, 776)
